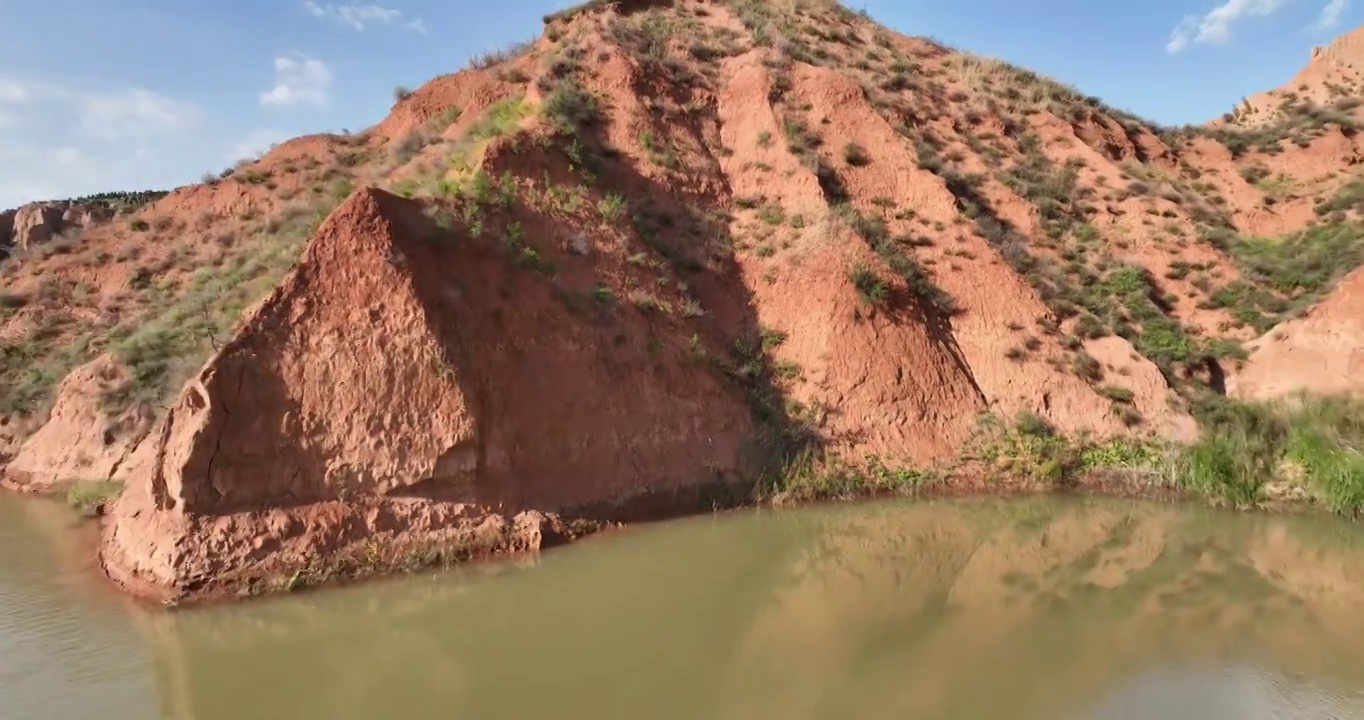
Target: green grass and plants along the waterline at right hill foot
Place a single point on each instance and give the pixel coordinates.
(1302, 451)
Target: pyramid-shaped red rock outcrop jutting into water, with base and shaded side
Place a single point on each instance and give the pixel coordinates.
(399, 382)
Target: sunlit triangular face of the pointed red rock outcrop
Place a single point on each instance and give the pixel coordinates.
(336, 387)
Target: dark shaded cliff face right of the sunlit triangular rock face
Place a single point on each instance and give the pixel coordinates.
(604, 407)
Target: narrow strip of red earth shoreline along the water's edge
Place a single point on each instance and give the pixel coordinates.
(415, 556)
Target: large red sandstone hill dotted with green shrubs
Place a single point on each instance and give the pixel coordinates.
(647, 256)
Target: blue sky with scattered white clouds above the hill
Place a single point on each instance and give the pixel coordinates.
(126, 95)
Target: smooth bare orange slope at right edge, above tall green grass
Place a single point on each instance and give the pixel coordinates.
(1321, 352)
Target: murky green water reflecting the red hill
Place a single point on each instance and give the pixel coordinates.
(991, 610)
